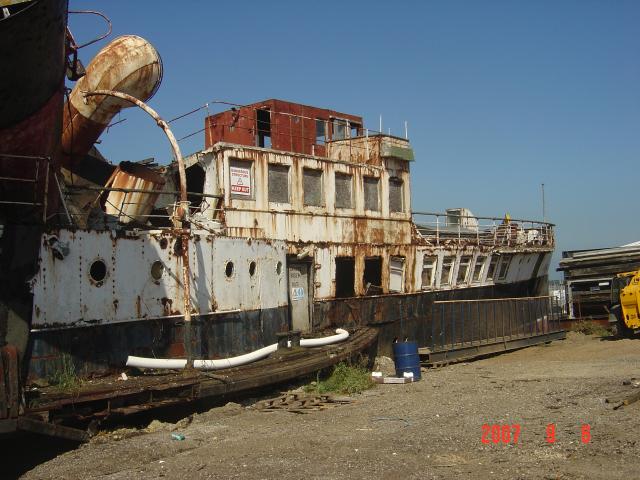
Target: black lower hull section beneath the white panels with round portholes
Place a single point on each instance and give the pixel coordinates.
(101, 349)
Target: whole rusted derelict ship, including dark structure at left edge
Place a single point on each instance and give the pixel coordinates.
(291, 218)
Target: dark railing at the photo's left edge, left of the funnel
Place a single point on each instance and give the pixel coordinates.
(14, 185)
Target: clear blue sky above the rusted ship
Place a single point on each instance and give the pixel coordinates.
(500, 96)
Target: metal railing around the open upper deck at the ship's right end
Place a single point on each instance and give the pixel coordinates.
(450, 229)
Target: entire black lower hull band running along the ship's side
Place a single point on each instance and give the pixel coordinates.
(100, 349)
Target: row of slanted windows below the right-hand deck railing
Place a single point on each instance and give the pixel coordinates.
(497, 268)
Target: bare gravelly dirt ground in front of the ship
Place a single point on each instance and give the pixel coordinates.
(431, 429)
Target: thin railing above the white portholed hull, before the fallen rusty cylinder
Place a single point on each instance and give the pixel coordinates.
(128, 209)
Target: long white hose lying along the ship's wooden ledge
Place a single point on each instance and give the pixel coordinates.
(177, 364)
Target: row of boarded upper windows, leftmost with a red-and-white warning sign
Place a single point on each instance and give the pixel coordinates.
(242, 187)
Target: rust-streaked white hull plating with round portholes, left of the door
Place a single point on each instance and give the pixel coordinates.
(97, 277)
